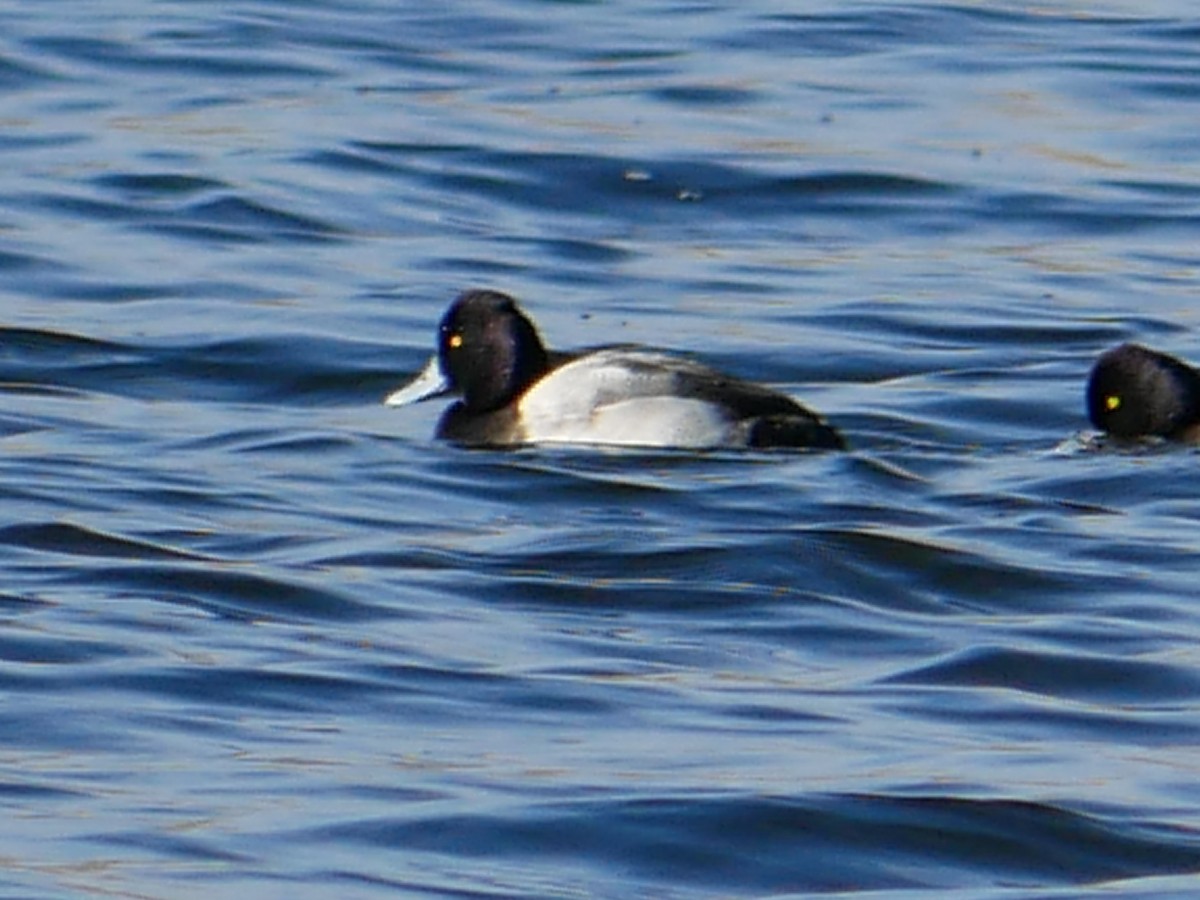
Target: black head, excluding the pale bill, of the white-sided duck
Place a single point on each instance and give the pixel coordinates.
(489, 351)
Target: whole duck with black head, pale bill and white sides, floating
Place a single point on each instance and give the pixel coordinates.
(513, 392)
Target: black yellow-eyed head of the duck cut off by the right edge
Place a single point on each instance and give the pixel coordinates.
(1135, 392)
